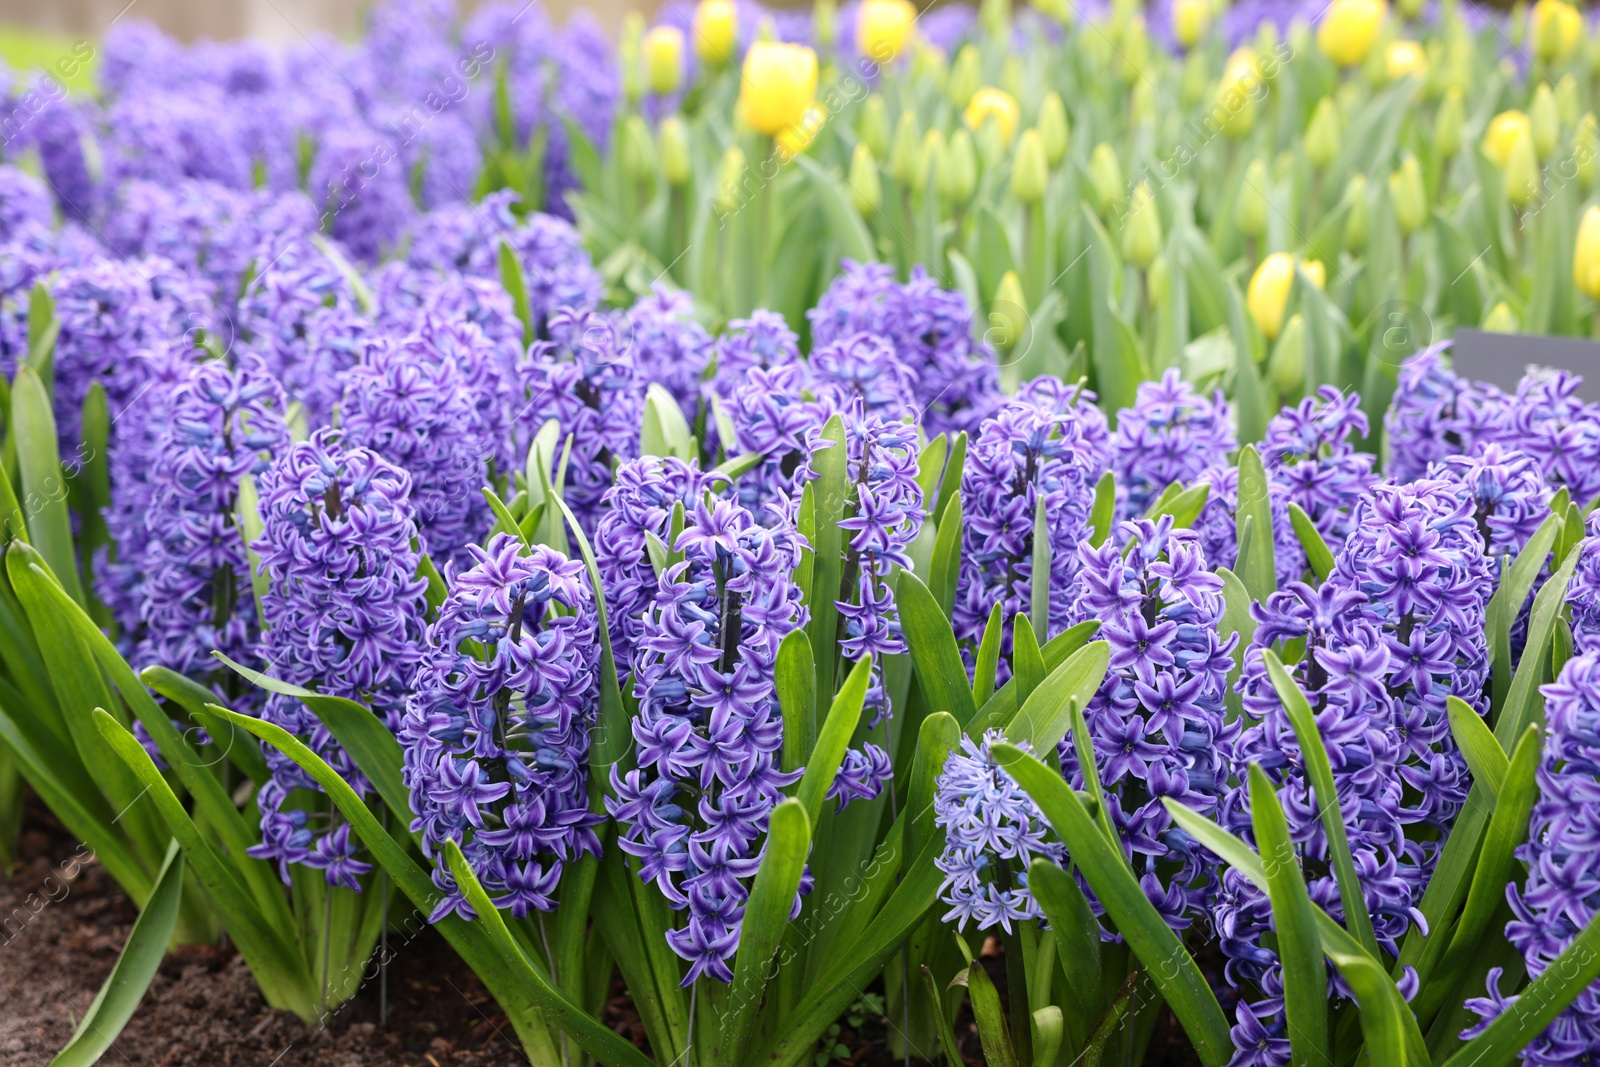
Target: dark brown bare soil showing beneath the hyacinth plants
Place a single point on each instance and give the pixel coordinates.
(65, 922)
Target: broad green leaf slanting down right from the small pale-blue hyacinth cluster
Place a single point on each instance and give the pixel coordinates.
(1108, 873)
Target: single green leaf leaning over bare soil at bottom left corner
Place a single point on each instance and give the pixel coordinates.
(142, 956)
